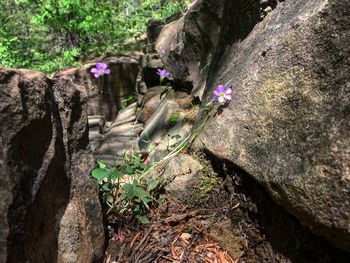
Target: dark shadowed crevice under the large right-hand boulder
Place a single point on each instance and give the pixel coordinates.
(271, 234)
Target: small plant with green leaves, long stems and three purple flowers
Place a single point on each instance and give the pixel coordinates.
(127, 188)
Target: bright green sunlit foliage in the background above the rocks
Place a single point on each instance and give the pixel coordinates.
(48, 35)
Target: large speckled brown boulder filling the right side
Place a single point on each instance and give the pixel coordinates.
(288, 125)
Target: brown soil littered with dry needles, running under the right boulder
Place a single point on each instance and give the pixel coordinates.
(237, 222)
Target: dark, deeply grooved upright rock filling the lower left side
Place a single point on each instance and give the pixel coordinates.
(50, 211)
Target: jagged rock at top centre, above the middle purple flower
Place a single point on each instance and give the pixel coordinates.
(186, 45)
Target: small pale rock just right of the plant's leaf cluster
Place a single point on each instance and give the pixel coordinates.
(183, 173)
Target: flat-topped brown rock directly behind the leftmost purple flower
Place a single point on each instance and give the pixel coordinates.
(117, 85)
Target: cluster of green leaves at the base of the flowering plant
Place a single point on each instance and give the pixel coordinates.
(125, 189)
